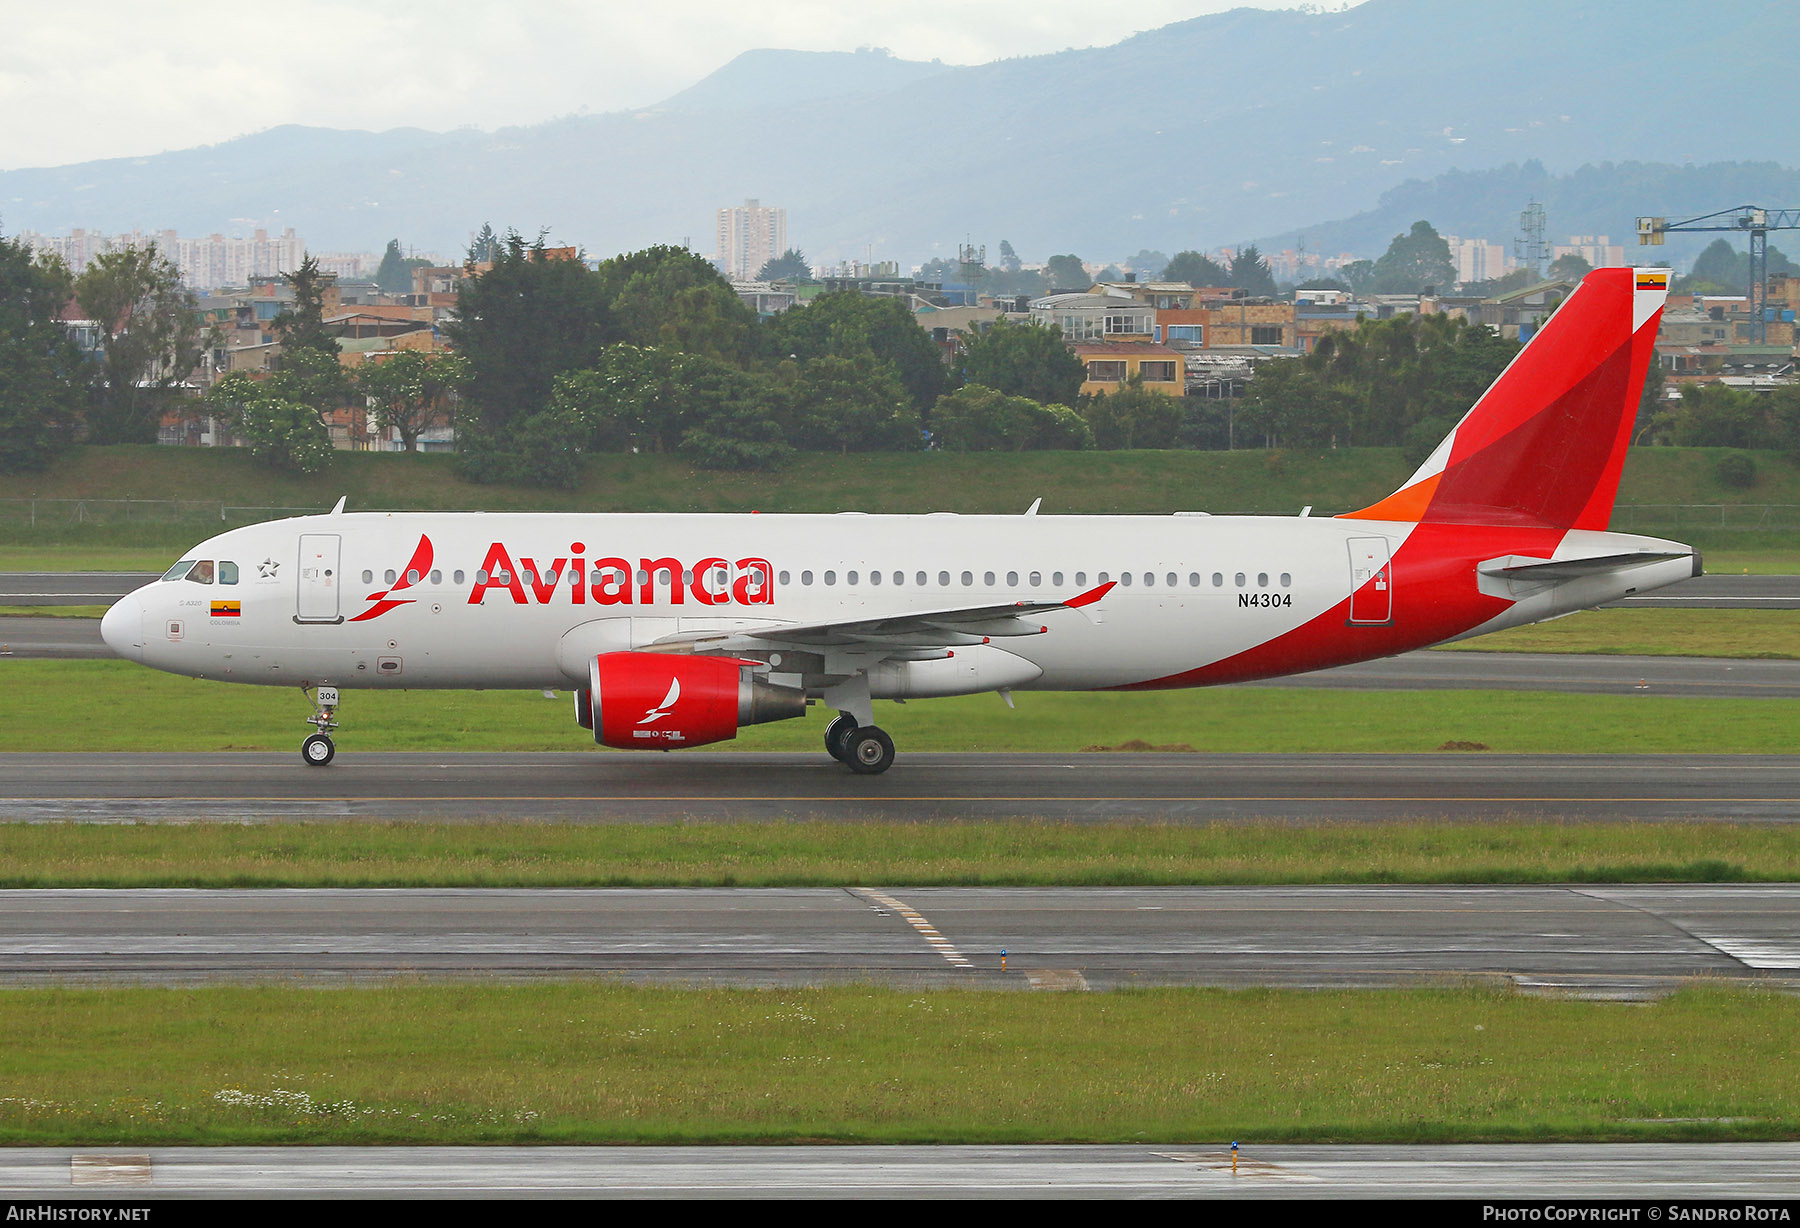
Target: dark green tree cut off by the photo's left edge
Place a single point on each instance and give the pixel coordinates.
(40, 368)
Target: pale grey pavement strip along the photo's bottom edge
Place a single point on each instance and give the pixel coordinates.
(1678, 1175)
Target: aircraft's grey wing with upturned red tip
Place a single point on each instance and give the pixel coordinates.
(910, 635)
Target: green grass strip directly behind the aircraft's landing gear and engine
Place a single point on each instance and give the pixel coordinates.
(123, 707)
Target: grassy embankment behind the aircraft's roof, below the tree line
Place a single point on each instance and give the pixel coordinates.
(1669, 492)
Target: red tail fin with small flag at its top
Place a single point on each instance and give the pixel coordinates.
(1545, 446)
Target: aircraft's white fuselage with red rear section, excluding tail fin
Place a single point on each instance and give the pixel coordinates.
(327, 600)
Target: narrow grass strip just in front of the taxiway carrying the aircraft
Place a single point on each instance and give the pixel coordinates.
(876, 853)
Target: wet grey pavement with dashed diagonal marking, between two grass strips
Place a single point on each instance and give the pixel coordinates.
(1633, 941)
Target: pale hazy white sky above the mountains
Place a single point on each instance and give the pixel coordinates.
(125, 78)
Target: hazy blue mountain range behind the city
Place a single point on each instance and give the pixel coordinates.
(1241, 127)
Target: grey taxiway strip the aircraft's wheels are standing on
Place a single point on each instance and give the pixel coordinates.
(606, 788)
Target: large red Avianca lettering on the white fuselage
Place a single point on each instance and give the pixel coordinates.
(615, 581)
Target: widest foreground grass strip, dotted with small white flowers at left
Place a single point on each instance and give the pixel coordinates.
(591, 1063)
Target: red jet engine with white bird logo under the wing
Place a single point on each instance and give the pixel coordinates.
(654, 701)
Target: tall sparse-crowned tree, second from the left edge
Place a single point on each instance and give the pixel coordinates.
(150, 341)
